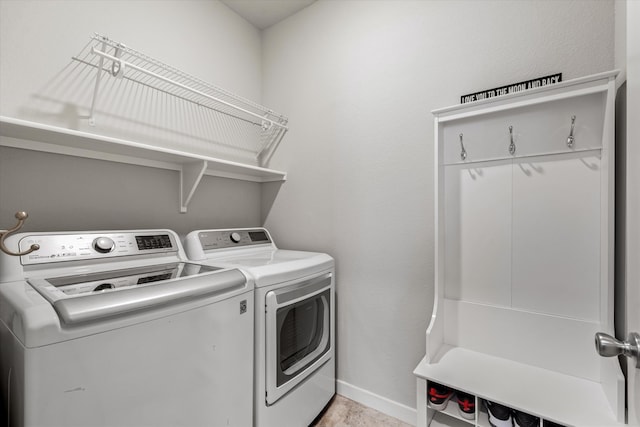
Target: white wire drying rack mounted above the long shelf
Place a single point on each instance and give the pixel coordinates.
(230, 119)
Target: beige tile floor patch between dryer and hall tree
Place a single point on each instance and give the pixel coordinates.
(343, 412)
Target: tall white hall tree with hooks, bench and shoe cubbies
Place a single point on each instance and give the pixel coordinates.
(524, 256)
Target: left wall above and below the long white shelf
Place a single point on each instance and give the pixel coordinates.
(40, 82)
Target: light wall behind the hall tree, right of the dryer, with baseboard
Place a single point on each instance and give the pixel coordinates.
(358, 80)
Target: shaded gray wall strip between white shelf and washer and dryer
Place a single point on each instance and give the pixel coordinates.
(69, 193)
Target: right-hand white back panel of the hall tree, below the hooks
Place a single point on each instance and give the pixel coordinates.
(556, 235)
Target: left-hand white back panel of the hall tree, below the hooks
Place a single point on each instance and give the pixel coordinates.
(477, 233)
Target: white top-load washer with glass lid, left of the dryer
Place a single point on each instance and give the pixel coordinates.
(116, 328)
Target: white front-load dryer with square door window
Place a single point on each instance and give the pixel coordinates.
(295, 321)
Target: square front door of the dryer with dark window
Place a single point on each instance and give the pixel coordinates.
(298, 333)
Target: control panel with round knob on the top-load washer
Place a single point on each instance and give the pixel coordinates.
(73, 247)
